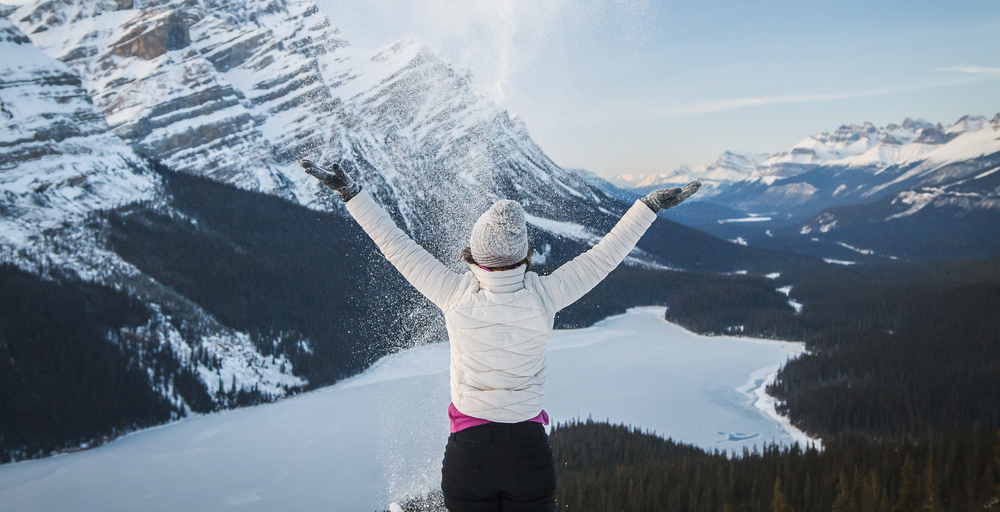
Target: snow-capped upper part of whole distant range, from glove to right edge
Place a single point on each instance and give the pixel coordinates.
(751, 181)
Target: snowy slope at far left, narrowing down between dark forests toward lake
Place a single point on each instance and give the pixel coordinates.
(60, 164)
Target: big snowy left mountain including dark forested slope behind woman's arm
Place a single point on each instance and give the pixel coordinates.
(96, 91)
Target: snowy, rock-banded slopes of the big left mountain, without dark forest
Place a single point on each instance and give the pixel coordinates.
(238, 92)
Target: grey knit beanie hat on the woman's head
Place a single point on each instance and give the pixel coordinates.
(500, 236)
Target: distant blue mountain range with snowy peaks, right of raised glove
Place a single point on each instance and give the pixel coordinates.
(914, 190)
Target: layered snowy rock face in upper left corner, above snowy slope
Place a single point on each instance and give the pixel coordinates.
(60, 159)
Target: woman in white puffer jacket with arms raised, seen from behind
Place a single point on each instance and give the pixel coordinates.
(499, 316)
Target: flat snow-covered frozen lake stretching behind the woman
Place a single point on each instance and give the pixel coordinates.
(379, 436)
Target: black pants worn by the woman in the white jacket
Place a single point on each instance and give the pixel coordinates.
(499, 467)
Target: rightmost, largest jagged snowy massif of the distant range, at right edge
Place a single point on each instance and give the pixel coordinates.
(858, 164)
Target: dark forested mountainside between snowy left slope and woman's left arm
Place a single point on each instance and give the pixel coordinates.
(312, 280)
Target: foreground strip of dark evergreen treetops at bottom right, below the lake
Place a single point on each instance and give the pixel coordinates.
(608, 468)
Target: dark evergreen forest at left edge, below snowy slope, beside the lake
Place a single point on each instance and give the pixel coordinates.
(64, 381)
